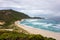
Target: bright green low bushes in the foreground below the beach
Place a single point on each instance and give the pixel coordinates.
(12, 35)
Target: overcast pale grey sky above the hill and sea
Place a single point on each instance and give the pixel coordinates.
(39, 8)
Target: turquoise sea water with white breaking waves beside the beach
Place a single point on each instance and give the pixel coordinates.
(50, 25)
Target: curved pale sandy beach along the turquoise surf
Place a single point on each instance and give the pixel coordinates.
(32, 30)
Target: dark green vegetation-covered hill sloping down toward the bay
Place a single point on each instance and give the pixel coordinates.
(10, 16)
